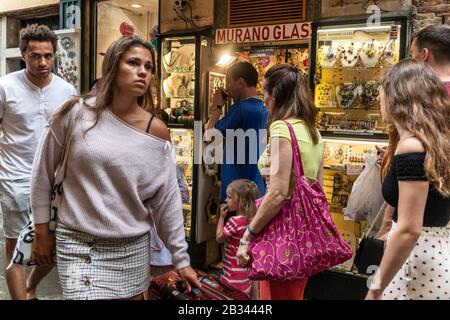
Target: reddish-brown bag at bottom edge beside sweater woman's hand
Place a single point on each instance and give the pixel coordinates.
(169, 286)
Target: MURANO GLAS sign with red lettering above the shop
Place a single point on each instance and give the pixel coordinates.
(278, 32)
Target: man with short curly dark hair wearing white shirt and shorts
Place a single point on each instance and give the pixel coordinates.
(27, 99)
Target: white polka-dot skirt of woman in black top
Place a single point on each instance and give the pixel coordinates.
(426, 273)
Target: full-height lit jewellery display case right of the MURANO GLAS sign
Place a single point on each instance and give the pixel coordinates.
(348, 62)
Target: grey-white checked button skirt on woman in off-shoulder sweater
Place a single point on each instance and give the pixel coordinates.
(96, 268)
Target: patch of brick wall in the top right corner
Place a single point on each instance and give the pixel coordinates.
(428, 12)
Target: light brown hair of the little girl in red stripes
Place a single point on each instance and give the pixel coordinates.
(246, 192)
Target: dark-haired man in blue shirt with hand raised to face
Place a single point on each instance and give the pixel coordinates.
(248, 114)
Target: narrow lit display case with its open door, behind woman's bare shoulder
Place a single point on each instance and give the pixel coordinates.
(184, 75)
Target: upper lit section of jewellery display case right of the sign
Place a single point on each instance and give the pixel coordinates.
(350, 63)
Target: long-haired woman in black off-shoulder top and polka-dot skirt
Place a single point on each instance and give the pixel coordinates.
(416, 183)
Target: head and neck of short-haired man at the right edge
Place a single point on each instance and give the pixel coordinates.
(432, 45)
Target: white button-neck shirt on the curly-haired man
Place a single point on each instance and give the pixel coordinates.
(25, 110)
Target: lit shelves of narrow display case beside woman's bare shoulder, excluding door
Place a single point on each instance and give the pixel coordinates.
(178, 101)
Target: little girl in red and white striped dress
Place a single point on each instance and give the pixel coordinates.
(241, 196)
